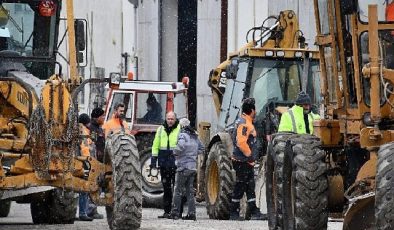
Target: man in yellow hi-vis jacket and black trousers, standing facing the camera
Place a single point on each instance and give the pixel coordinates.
(162, 151)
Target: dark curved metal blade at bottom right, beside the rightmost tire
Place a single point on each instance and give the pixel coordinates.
(361, 213)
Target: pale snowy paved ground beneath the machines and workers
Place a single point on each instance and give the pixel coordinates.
(20, 219)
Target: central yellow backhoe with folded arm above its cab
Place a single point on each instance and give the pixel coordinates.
(273, 67)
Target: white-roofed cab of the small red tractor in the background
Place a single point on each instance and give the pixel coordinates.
(147, 102)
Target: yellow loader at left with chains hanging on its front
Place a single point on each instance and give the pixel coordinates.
(39, 133)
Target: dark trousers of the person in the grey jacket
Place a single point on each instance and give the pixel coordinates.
(184, 186)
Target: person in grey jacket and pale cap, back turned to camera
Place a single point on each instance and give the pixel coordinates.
(186, 151)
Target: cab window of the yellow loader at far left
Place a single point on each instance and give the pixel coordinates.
(23, 32)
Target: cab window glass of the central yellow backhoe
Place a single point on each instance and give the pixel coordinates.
(281, 80)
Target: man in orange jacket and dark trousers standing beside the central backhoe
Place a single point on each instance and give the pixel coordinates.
(243, 161)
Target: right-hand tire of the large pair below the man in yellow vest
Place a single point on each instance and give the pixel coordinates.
(305, 185)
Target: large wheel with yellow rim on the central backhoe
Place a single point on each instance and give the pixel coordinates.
(219, 182)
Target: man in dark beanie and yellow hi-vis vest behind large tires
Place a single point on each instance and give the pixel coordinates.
(299, 118)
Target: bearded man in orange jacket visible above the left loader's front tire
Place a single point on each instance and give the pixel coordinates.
(117, 122)
